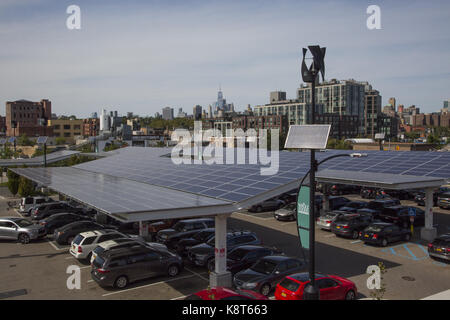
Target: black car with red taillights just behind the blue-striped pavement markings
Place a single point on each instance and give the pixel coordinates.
(383, 233)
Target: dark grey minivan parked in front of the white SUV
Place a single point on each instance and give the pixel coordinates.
(118, 268)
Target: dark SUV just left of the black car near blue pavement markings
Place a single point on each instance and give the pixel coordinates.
(350, 225)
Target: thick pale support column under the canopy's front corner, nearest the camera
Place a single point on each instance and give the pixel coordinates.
(220, 277)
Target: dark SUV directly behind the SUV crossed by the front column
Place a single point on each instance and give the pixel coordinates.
(183, 229)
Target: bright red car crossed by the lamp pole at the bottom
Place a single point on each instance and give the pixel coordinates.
(331, 287)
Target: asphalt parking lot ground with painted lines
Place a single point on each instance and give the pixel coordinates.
(38, 270)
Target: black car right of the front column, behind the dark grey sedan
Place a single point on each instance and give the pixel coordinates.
(244, 257)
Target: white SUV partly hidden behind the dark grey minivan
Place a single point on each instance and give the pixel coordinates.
(84, 242)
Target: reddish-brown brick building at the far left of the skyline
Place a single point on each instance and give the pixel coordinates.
(28, 117)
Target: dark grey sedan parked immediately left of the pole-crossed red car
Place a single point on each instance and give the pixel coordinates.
(267, 272)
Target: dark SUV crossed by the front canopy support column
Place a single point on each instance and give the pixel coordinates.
(203, 254)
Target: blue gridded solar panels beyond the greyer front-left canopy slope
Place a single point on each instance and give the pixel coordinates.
(238, 182)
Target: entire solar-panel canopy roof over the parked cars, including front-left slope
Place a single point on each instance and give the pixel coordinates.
(233, 186)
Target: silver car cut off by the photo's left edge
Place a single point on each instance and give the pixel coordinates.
(21, 229)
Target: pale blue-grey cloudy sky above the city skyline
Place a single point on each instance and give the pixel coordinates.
(141, 56)
